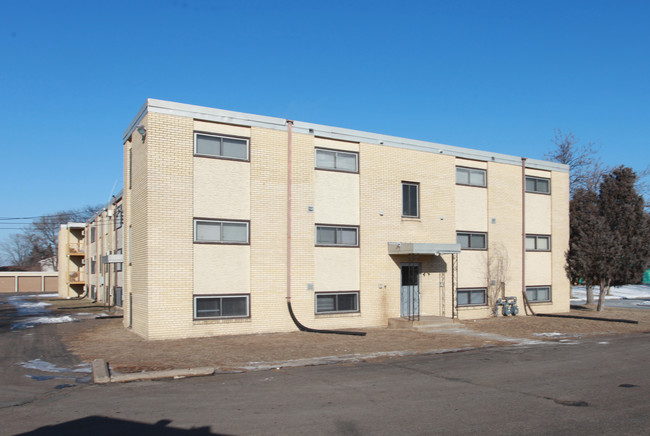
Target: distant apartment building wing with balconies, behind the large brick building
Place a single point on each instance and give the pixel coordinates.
(90, 256)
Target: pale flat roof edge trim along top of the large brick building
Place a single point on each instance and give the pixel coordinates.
(250, 120)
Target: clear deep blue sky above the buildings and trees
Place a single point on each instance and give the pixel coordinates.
(492, 75)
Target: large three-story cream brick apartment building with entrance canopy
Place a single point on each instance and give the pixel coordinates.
(230, 216)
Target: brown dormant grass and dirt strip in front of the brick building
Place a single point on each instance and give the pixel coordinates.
(126, 352)
